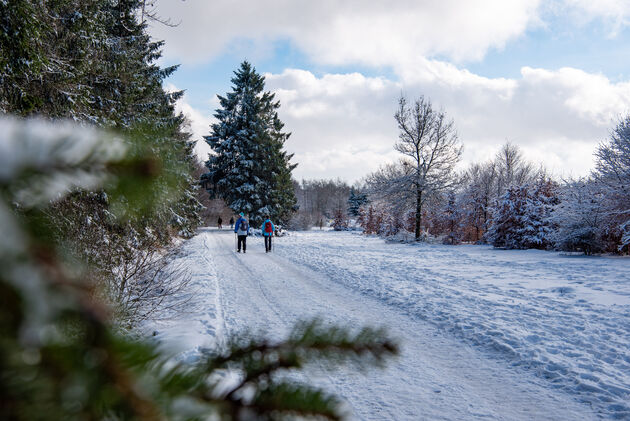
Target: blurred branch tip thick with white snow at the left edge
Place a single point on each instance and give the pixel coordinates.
(41, 160)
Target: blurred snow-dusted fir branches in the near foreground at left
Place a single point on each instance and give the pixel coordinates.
(61, 359)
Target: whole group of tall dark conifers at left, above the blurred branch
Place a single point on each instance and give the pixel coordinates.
(95, 62)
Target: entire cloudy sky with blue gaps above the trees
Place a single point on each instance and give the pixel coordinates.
(550, 76)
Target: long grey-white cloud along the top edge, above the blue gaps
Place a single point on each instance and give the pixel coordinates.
(370, 32)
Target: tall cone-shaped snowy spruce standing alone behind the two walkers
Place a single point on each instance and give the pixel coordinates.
(249, 169)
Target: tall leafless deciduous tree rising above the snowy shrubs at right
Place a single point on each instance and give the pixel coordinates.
(429, 142)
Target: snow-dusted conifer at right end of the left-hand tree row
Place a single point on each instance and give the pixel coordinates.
(127, 94)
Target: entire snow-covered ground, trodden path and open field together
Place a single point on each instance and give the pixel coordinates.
(486, 334)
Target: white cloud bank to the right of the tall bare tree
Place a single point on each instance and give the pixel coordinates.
(556, 117)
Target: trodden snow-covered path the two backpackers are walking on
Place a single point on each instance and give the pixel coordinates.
(438, 376)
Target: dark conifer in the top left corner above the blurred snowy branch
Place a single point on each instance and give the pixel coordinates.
(46, 48)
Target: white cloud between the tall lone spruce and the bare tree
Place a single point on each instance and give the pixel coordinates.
(341, 124)
